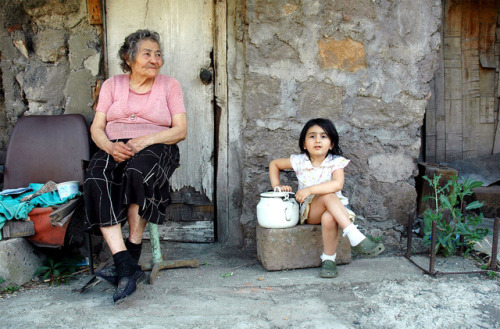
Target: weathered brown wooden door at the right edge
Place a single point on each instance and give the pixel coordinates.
(463, 112)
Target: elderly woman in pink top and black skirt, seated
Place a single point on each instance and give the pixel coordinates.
(139, 119)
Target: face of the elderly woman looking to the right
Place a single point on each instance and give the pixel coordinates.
(148, 61)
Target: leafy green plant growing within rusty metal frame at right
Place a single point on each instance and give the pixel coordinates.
(459, 219)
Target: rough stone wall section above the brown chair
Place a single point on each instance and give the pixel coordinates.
(50, 60)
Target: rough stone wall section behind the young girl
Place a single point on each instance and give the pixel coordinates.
(364, 64)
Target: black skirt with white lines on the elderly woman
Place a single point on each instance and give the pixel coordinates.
(110, 187)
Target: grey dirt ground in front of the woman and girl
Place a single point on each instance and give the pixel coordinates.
(232, 290)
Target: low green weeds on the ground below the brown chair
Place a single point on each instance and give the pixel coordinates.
(58, 271)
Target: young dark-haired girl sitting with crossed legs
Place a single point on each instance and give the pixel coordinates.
(320, 172)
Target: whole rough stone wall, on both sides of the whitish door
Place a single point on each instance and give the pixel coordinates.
(364, 64)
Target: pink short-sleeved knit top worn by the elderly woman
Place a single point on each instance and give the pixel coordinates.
(131, 115)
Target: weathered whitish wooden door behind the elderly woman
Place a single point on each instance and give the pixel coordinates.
(187, 36)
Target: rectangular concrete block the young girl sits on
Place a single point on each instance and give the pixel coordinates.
(296, 247)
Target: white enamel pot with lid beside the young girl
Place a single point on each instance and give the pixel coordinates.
(277, 209)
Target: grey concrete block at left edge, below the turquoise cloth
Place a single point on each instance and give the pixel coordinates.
(19, 261)
